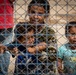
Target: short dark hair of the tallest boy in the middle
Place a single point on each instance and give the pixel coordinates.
(43, 3)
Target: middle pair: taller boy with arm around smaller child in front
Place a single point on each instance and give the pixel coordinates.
(35, 51)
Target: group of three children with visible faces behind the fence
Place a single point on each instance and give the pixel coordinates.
(35, 45)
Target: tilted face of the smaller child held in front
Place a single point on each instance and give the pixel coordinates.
(28, 38)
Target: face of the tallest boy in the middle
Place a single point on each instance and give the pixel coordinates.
(36, 14)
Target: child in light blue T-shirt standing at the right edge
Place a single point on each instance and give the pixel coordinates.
(67, 52)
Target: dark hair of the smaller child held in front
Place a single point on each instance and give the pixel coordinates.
(22, 28)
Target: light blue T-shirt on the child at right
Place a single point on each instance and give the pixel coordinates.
(69, 58)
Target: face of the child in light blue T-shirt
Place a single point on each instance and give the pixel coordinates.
(72, 35)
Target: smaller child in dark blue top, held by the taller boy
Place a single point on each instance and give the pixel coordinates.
(24, 39)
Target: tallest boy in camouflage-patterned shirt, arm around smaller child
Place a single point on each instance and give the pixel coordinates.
(45, 42)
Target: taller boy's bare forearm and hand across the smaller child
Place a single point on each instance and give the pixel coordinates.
(39, 47)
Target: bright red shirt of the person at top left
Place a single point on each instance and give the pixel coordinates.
(6, 14)
